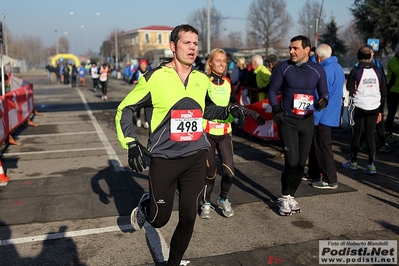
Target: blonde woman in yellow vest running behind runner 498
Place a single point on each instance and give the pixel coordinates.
(219, 133)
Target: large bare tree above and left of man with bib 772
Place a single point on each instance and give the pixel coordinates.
(268, 22)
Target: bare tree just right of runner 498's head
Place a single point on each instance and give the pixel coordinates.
(198, 19)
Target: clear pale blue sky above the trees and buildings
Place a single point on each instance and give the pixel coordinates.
(43, 17)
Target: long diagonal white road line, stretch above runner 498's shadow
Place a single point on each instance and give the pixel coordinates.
(114, 160)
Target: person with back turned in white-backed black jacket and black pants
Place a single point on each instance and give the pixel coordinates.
(367, 87)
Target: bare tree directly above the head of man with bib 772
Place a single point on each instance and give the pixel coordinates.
(311, 11)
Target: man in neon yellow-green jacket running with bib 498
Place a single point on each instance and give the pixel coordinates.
(174, 92)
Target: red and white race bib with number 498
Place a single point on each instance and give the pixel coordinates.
(186, 125)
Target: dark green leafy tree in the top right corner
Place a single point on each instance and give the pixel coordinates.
(377, 19)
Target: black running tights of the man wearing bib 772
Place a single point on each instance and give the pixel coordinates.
(296, 137)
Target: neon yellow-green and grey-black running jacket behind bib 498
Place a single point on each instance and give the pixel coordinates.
(160, 91)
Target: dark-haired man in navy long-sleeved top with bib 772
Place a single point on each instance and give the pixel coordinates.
(297, 78)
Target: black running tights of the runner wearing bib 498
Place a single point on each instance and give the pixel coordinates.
(188, 175)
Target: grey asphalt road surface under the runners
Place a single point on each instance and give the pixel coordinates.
(71, 192)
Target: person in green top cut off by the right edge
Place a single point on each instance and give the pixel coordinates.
(393, 89)
